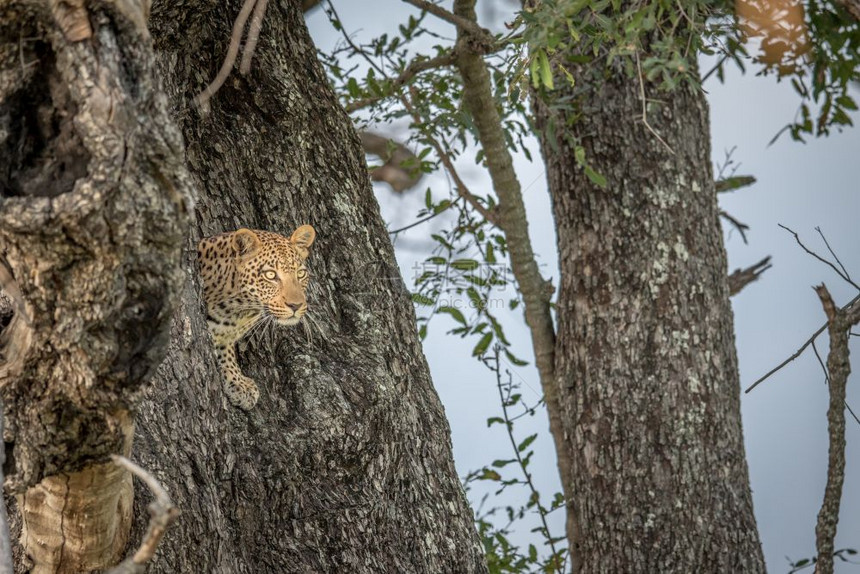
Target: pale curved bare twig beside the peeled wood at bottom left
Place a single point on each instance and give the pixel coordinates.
(162, 514)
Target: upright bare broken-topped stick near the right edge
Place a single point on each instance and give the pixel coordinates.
(839, 322)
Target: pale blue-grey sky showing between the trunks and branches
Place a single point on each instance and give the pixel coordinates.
(801, 186)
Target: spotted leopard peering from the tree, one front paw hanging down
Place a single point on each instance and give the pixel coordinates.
(251, 277)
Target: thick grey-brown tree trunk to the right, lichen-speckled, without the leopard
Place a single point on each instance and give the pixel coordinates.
(645, 357)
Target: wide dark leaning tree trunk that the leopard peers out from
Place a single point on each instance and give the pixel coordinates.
(345, 463)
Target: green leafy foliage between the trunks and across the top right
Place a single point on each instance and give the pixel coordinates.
(388, 81)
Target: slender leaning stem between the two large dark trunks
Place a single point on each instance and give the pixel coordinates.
(479, 101)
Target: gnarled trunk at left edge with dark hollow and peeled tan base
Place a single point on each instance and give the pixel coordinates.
(94, 204)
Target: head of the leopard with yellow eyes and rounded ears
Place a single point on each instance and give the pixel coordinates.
(272, 272)
